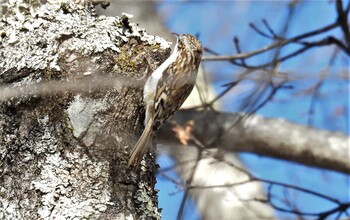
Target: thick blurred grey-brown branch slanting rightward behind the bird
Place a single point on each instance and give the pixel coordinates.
(270, 137)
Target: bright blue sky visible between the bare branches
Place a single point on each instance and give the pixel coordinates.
(216, 22)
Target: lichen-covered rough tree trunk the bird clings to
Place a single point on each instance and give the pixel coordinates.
(63, 153)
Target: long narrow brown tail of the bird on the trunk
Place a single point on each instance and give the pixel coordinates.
(141, 146)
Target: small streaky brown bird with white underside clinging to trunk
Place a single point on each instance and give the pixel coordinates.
(167, 88)
